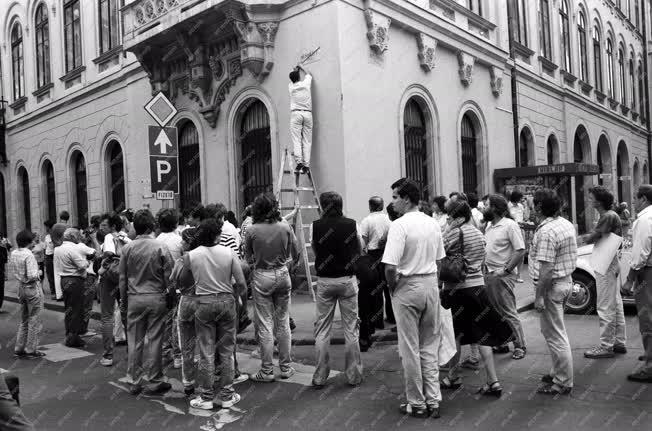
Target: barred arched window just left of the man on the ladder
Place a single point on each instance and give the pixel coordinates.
(256, 153)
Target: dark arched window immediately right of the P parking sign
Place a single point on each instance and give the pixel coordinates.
(189, 167)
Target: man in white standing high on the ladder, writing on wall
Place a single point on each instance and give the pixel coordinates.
(301, 117)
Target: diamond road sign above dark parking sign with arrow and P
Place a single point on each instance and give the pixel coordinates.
(163, 150)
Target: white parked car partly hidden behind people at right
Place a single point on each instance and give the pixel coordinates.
(583, 297)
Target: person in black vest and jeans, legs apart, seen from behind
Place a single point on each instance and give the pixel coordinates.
(337, 246)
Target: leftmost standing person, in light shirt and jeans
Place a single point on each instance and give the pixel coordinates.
(24, 268)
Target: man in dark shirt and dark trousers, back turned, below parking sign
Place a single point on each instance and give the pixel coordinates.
(145, 268)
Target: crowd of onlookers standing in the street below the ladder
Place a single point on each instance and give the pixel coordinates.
(444, 271)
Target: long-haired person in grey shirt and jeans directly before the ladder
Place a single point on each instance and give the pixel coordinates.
(269, 245)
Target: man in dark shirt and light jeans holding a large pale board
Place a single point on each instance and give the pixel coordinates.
(609, 302)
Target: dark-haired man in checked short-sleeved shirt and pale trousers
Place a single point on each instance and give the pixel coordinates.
(553, 257)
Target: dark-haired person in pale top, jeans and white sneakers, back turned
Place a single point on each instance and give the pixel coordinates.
(213, 266)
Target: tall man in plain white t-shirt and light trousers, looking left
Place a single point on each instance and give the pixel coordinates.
(414, 246)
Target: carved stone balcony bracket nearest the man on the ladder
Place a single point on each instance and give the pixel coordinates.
(256, 46)
